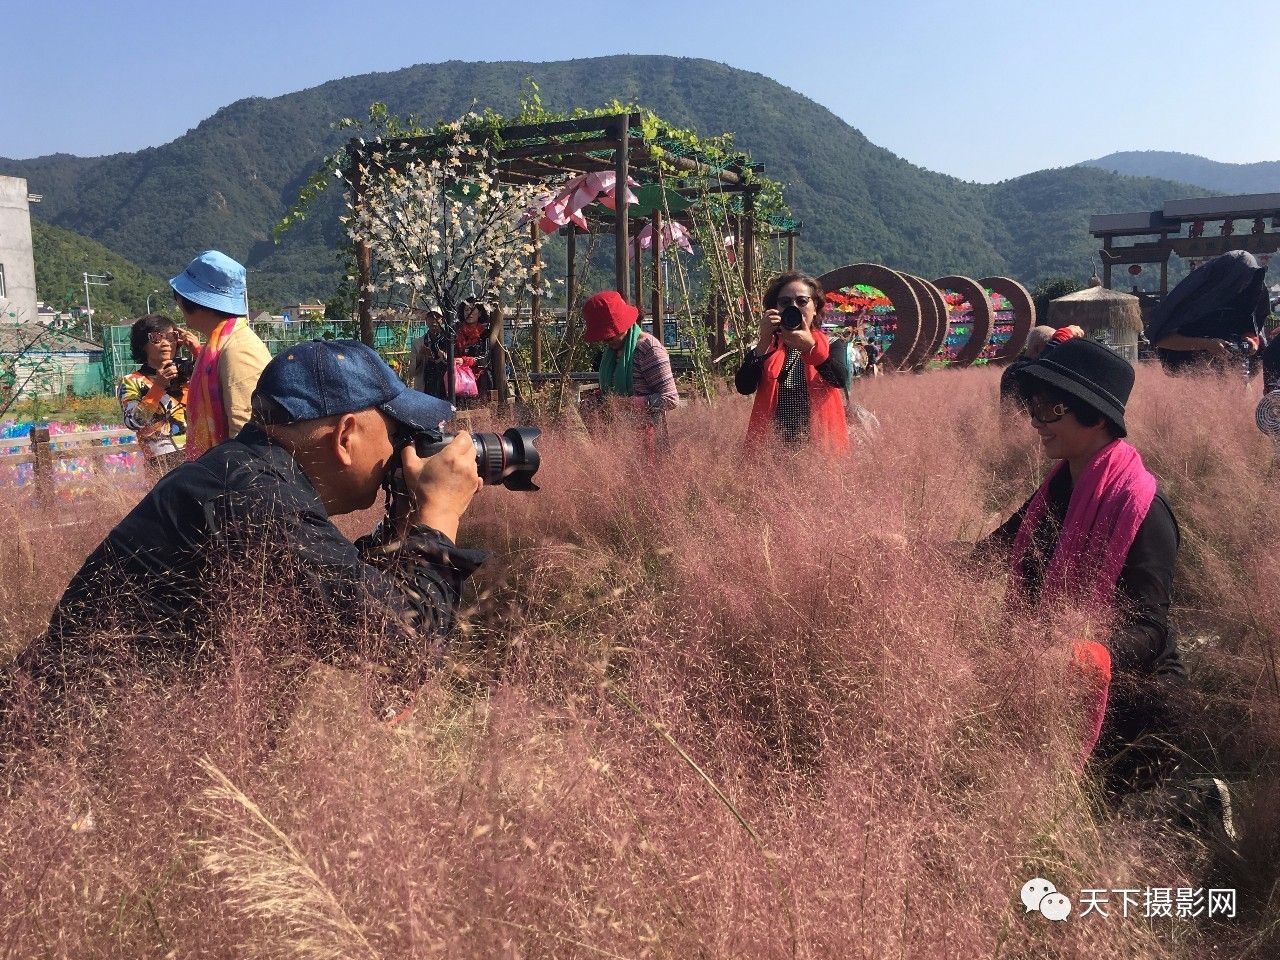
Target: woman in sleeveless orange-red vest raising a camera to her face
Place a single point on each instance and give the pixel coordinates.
(797, 378)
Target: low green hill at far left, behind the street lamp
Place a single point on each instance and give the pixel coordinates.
(63, 258)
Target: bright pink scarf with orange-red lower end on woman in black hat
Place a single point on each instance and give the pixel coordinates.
(1108, 506)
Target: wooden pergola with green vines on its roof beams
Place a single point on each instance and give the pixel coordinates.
(545, 152)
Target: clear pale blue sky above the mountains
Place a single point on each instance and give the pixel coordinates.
(981, 92)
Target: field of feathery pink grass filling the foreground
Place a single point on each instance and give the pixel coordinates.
(700, 708)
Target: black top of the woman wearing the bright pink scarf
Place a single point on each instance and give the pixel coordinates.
(1142, 642)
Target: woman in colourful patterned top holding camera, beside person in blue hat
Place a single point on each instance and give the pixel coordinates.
(154, 397)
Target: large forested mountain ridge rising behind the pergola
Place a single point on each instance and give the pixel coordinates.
(230, 180)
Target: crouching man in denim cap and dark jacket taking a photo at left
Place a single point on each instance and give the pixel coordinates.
(331, 429)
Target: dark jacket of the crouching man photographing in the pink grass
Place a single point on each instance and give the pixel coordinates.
(245, 518)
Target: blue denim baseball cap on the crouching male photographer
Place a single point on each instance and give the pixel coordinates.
(326, 378)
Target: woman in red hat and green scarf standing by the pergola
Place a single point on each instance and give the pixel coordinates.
(634, 364)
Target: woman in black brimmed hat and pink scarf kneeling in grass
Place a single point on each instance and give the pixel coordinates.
(1099, 534)
